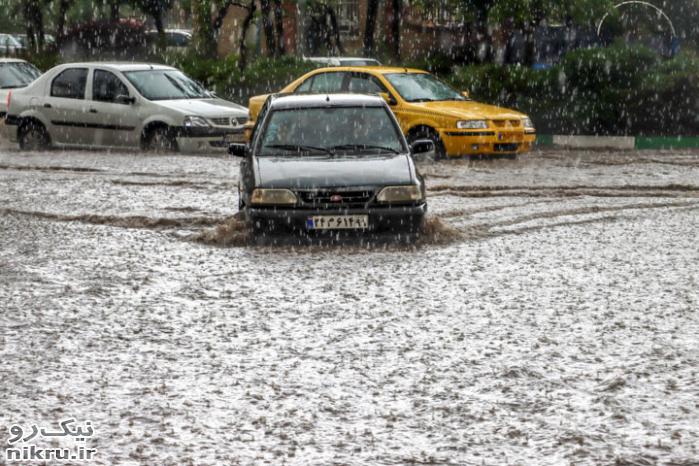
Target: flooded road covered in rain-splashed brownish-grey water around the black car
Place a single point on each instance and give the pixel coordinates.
(548, 316)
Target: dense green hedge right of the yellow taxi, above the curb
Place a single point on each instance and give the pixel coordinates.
(618, 90)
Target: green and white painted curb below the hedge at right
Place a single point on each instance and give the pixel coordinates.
(618, 142)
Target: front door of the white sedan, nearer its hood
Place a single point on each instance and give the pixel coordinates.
(111, 116)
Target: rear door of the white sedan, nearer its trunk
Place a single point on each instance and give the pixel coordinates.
(65, 107)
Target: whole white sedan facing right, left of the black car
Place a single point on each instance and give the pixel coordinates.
(153, 107)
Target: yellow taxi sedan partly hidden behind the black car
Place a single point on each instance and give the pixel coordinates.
(425, 107)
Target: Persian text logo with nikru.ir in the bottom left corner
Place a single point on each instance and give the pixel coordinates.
(22, 447)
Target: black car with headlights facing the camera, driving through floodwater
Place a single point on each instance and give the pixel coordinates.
(325, 163)
